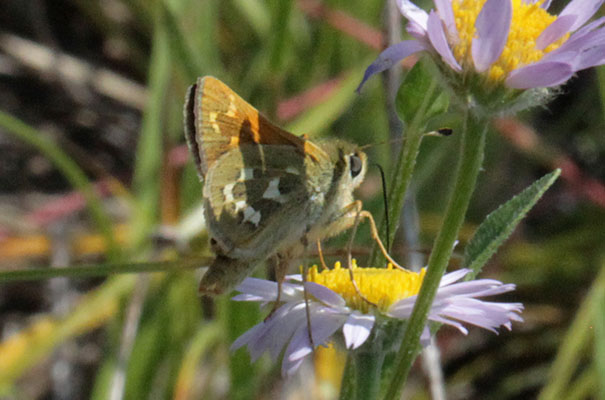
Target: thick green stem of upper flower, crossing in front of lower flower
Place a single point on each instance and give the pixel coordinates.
(472, 148)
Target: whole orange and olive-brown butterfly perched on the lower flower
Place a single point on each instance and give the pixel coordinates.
(267, 193)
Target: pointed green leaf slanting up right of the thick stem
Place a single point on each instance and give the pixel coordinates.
(498, 225)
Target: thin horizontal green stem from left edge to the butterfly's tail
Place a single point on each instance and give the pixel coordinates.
(86, 271)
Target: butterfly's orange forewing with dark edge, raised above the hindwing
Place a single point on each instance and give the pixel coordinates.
(217, 120)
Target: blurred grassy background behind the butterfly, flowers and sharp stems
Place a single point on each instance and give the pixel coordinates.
(94, 170)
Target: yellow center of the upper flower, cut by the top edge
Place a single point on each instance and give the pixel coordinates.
(528, 22)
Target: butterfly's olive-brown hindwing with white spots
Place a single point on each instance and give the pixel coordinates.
(251, 210)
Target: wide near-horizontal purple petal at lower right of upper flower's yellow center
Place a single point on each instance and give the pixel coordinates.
(543, 74)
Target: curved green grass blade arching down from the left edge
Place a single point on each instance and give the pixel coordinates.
(72, 172)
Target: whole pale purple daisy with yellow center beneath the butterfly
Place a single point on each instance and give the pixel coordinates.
(335, 305)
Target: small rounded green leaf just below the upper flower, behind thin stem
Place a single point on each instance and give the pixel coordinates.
(412, 92)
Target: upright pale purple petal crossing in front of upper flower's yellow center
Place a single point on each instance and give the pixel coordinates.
(492, 24)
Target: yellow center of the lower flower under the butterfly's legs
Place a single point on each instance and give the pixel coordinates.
(380, 286)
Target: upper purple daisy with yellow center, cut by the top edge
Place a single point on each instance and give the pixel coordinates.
(517, 44)
